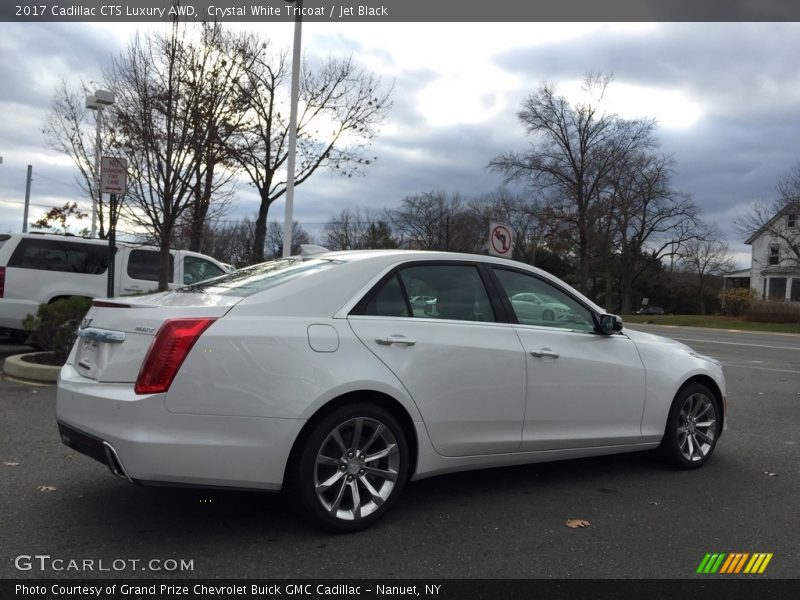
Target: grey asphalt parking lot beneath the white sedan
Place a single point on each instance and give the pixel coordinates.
(646, 520)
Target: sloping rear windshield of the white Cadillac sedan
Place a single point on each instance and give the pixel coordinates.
(250, 280)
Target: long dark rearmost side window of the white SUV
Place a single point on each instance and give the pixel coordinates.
(57, 255)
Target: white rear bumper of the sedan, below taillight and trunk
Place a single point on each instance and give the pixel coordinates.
(141, 441)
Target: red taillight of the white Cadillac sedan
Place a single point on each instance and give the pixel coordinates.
(167, 352)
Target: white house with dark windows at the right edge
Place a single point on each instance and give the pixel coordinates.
(775, 267)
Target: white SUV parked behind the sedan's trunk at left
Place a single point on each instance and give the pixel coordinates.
(40, 268)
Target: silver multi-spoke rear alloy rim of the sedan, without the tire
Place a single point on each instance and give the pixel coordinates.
(356, 468)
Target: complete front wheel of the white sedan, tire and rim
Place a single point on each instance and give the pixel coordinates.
(693, 428)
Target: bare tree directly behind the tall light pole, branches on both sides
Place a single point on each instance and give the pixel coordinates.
(340, 108)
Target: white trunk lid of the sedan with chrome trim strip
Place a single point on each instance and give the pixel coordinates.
(116, 334)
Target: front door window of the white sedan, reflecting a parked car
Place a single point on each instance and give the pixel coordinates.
(537, 302)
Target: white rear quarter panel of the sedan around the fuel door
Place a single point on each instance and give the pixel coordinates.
(266, 367)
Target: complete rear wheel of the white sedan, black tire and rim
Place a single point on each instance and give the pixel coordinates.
(351, 468)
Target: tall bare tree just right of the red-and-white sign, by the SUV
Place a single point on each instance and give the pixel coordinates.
(171, 118)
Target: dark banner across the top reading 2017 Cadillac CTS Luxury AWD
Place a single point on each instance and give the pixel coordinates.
(343, 11)
